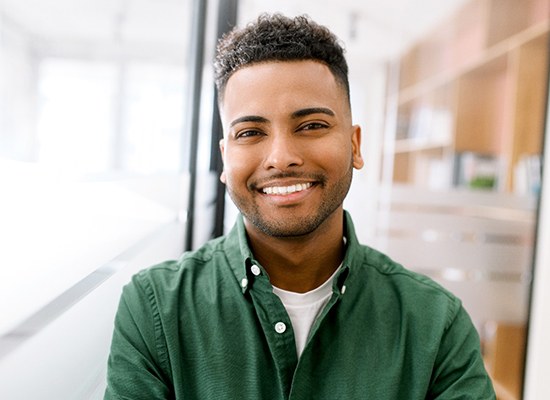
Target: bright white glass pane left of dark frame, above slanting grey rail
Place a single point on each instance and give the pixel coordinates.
(91, 133)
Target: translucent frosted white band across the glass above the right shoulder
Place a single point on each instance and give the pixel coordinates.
(476, 244)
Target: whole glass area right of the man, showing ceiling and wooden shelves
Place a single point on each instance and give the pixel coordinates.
(452, 175)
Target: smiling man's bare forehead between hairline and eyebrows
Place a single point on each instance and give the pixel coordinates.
(282, 86)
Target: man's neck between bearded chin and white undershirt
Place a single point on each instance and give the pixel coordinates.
(300, 264)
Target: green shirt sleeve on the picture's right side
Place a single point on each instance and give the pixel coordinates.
(459, 372)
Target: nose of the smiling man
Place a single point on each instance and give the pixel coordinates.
(283, 152)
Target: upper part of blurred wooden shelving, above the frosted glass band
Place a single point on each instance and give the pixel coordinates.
(476, 86)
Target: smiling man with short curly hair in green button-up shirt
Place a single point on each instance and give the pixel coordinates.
(289, 305)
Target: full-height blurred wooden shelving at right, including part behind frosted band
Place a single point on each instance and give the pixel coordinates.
(463, 167)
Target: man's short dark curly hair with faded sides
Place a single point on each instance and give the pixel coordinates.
(275, 37)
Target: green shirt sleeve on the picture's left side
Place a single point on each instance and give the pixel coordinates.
(135, 367)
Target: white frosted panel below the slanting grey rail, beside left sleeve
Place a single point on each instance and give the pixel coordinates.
(67, 359)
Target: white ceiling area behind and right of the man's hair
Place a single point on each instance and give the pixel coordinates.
(370, 29)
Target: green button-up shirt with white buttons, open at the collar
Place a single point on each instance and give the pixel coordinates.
(207, 327)
